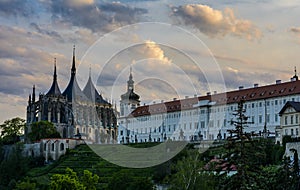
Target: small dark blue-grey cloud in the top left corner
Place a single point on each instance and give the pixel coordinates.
(15, 8)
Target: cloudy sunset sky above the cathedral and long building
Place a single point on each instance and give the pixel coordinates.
(174, 48)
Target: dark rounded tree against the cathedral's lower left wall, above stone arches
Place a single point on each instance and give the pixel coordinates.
(42, 129)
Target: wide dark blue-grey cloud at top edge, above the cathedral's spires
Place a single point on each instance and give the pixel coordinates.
(97, 17)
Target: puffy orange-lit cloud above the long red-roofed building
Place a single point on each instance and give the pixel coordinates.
(216, 23)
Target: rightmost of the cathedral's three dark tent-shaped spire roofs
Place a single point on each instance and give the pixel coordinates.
(91, 92)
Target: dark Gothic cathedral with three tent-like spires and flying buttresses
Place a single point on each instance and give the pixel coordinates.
(74, 112)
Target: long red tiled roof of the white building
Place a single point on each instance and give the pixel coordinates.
(249, 94)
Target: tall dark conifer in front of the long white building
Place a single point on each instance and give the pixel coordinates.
(242, 153)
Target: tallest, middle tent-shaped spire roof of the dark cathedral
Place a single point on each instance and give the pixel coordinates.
(73, 87)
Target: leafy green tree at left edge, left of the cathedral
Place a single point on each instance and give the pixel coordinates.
(12, 129)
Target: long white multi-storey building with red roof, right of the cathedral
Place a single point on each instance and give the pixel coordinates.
(208, 117)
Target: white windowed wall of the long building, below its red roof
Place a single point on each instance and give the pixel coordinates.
(210, 122)
